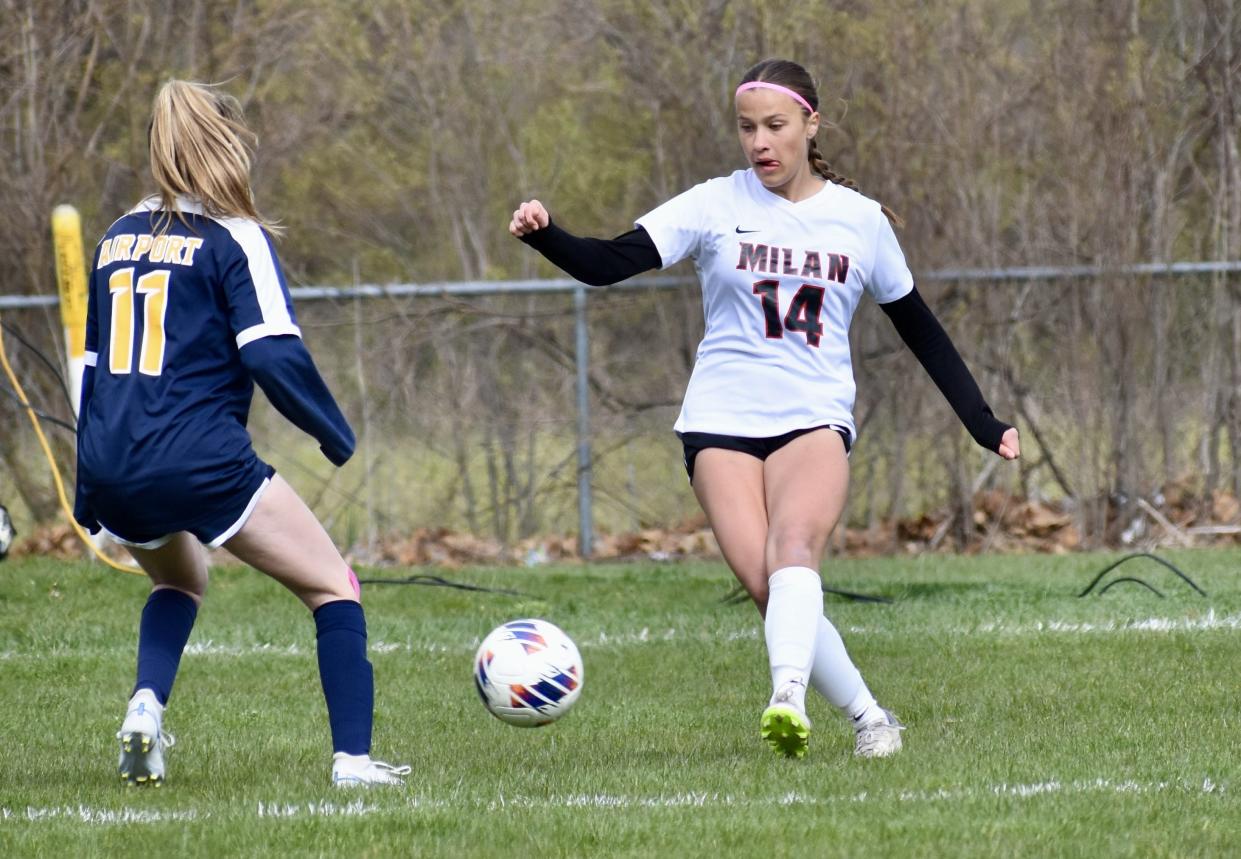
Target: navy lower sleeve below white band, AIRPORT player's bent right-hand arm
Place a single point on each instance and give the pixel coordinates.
(285, 371)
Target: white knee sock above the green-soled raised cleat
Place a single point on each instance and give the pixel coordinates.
(795, 608)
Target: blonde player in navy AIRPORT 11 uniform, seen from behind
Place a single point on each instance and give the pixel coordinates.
(188, 310)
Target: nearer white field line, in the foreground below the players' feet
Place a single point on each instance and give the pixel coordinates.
(92, 816)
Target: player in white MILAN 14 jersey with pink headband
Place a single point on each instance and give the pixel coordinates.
(785, 251)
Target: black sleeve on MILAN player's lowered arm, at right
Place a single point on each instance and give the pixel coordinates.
(926, 338)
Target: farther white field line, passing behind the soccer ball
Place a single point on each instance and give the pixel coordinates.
(1208, 623)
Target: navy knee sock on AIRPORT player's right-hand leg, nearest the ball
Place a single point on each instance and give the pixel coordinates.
(347, 676)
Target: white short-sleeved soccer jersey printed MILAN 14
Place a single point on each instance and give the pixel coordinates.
(781, 282)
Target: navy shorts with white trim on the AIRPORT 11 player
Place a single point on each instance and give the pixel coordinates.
(212, 505)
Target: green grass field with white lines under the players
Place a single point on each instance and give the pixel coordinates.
(1039, 724)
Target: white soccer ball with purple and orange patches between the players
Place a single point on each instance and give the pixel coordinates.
(528, 673)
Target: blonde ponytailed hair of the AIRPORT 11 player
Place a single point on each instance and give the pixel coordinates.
(200, 147)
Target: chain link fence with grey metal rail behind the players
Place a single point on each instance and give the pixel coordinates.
(542, 408)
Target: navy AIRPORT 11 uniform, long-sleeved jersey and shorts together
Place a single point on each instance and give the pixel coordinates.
(181, 325)
